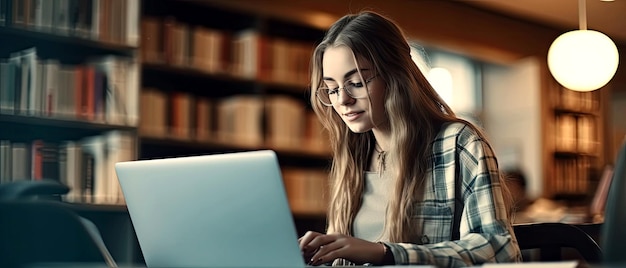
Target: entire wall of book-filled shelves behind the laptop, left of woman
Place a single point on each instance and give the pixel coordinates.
(238, 55)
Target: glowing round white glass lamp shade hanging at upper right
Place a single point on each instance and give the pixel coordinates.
(583, 60)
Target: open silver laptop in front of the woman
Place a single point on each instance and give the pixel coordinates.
(205, 211)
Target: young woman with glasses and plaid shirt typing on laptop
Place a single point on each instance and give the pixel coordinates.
(411, 182)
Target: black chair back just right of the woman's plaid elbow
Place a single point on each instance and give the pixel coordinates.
(551, 241)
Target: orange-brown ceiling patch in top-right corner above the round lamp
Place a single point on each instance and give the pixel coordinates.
(608, 17)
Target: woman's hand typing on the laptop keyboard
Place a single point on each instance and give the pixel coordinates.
(320, 248)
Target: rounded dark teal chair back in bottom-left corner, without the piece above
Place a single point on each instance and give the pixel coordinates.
(34, 232)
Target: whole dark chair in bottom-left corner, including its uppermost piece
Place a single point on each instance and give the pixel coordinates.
(37, 231)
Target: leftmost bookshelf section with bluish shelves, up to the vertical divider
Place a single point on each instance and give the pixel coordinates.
(68, 103)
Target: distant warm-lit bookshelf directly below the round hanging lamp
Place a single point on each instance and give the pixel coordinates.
(575, 142)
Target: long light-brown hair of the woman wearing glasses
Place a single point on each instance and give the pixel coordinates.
(414, 110)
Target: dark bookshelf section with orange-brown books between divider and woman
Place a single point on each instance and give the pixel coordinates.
(218, 79)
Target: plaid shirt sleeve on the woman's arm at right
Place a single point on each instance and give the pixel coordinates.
(486, 234)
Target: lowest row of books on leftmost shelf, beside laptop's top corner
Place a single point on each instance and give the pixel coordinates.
(86, 166)
